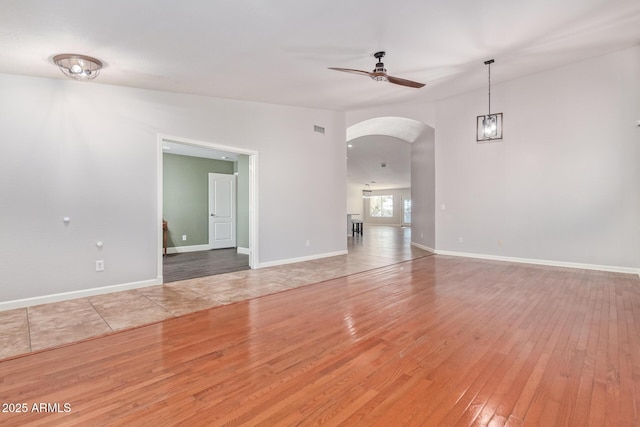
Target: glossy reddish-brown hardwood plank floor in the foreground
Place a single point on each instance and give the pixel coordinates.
(434, 341)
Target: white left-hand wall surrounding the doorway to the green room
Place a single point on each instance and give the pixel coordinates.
(89, 151)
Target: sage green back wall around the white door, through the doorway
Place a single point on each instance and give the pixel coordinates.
(185, 197)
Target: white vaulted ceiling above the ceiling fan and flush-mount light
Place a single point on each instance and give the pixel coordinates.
(278, 51)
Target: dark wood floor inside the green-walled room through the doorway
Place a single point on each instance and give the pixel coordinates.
(190, 265)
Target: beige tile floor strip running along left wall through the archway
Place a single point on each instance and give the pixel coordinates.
(45, 326)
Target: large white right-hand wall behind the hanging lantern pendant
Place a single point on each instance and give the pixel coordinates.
(564, 184)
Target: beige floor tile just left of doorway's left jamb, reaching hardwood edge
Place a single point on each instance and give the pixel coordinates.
(128, 309)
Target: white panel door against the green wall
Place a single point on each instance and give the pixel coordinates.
(222, 211)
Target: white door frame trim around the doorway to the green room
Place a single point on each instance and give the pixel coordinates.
(253, 193)
